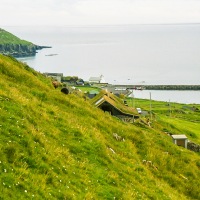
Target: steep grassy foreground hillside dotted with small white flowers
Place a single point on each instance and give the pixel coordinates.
(57, 146)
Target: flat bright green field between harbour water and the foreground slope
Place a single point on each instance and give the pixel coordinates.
(175, 118)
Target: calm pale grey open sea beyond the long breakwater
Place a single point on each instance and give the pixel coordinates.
(149, 54)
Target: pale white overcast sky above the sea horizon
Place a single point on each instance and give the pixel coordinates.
(97, 12)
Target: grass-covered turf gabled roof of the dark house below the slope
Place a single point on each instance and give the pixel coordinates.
(114, 101)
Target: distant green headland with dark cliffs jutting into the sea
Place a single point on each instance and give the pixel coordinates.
(12, 45)
